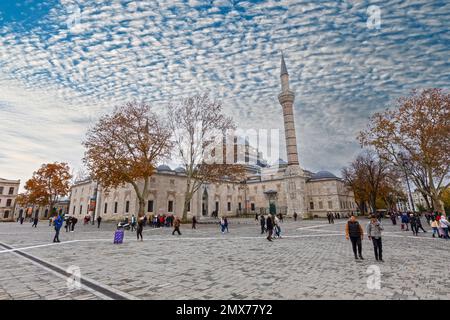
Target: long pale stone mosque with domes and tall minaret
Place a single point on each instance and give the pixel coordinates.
(283, 187)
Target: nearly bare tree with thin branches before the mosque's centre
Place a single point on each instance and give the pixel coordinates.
(198, 126)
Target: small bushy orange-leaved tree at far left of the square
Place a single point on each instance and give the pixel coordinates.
(47, 185)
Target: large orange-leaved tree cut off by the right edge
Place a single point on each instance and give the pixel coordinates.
(415, 136)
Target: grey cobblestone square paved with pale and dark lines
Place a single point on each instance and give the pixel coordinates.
(311, 261)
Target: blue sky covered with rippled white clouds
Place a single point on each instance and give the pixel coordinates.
(65, 62)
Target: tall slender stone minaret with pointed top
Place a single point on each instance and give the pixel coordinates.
(286, 99)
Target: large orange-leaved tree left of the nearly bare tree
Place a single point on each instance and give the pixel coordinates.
(124, 147)
